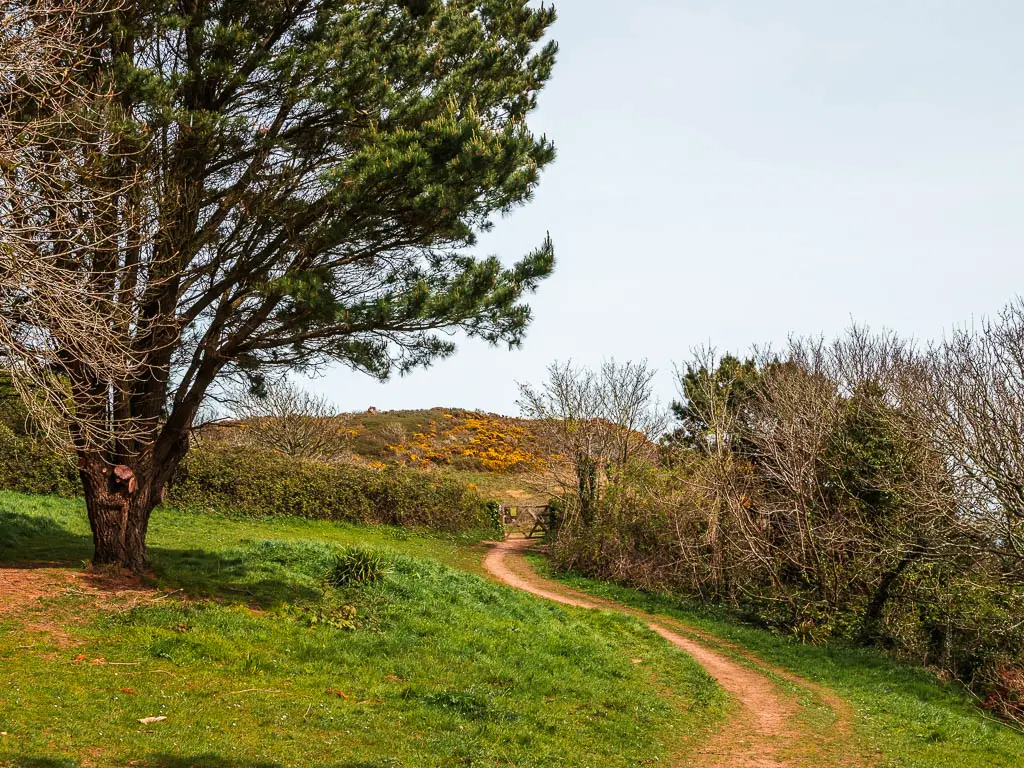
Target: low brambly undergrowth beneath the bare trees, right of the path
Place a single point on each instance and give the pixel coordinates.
(952, 617)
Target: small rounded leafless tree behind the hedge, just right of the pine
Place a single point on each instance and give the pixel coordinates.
(292, 421)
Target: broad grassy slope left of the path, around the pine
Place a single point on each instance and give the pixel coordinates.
(257, 663)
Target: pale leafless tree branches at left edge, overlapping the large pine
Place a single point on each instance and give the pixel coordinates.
(68, 187)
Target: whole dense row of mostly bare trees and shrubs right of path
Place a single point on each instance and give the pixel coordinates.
(862, 489)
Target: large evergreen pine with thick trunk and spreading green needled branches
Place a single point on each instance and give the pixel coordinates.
(307, 181)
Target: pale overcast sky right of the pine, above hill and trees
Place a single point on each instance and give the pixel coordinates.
(734, 172)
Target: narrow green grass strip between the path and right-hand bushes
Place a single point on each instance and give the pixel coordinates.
(911, 717)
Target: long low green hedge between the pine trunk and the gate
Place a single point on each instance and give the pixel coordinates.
(266, 485)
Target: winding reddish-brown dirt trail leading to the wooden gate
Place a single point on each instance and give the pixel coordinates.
(766, 731)
